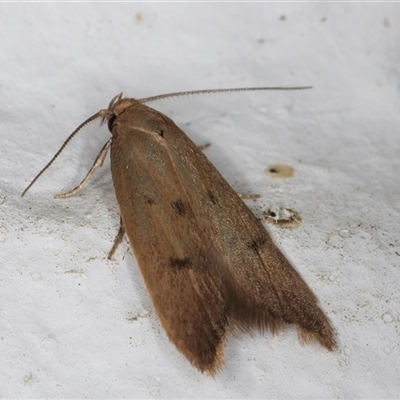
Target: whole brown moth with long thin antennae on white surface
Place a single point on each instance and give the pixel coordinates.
(208, 263)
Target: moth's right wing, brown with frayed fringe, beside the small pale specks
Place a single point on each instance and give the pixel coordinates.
(262, 288)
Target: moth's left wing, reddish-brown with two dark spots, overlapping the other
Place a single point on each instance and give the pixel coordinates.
(176, 264)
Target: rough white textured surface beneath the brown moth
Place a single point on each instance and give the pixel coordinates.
(72, 323)
